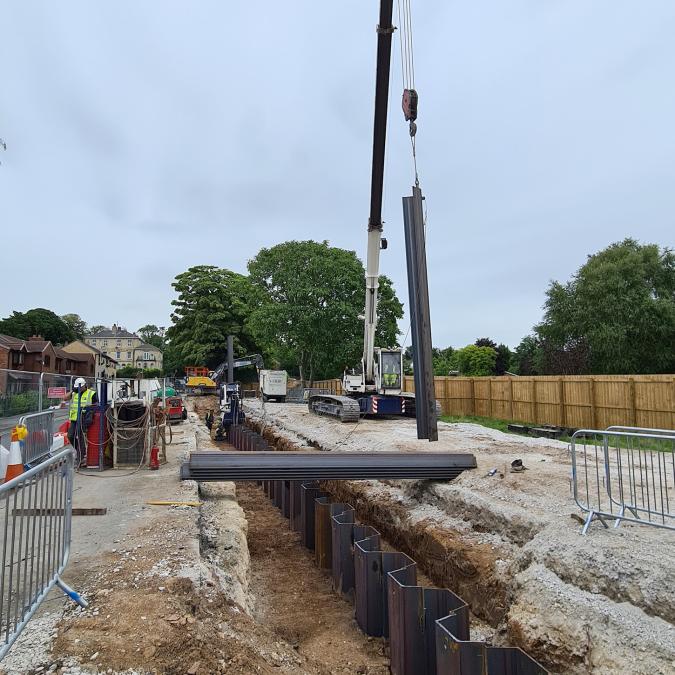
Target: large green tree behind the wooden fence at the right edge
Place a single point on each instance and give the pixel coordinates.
(616, 314)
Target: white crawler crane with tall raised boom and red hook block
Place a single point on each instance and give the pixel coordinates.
(375, 387)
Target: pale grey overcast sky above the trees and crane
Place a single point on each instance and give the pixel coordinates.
(146, 137)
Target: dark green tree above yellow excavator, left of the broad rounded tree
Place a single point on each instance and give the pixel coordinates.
(212, 303)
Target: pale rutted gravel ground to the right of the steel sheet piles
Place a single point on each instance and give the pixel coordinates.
(599, 603)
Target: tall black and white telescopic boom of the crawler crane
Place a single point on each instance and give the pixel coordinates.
(385, 30)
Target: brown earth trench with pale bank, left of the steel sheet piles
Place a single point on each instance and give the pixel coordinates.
(262, 568)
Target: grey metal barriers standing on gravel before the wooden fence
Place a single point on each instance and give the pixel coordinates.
(625, 473)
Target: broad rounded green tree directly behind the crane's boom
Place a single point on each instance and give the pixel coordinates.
(309, 303)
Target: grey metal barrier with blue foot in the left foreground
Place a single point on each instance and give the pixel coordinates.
(36, 512)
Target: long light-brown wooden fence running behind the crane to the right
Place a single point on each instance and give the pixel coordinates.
(575, 401)
